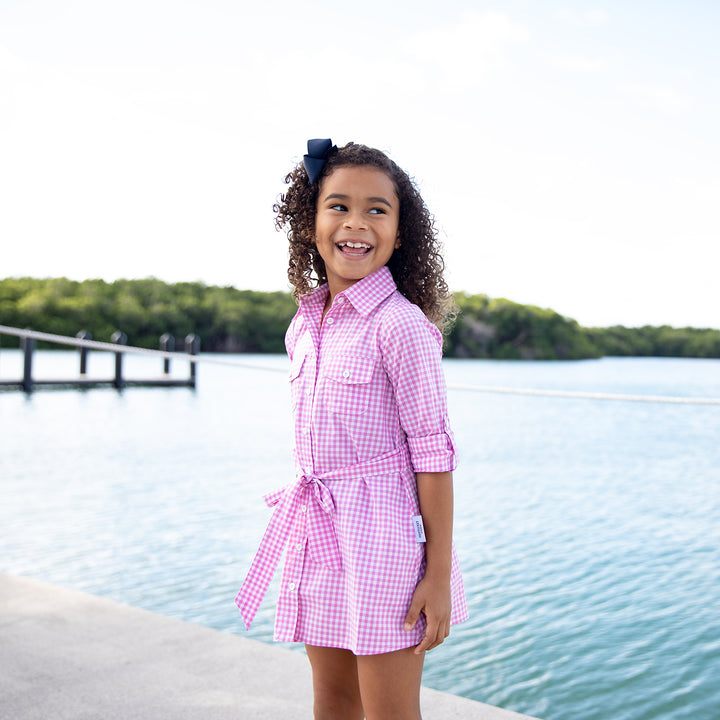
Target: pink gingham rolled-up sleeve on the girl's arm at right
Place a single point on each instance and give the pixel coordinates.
(412, 356)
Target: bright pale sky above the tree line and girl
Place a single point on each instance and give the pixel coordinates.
(569, 151)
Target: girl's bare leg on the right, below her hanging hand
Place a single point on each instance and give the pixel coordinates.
(390, 684)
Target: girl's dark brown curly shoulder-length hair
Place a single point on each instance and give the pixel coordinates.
(416, 266)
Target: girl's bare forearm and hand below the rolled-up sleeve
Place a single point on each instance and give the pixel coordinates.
(432, 595)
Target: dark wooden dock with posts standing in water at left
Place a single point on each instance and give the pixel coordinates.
(118, 346)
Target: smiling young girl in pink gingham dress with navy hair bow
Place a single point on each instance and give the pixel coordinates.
(371, 581)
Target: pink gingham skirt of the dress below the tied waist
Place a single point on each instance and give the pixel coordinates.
(361, 607)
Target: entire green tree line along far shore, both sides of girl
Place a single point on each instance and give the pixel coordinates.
(232, 320)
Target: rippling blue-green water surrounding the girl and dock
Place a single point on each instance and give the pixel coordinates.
(587, 531)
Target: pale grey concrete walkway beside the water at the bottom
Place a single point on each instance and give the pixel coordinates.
(66, 654)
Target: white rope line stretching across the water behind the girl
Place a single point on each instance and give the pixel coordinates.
(113, 347)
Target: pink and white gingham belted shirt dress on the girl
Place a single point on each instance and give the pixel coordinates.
(369, 399)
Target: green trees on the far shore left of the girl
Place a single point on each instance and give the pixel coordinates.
(224, 318)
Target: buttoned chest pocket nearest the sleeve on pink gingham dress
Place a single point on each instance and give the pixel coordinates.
(347, 384)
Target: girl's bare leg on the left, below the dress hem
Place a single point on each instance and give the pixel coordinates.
(335, 684)
